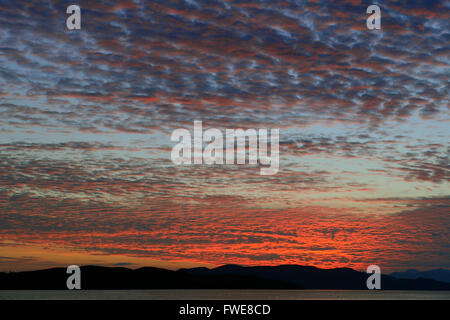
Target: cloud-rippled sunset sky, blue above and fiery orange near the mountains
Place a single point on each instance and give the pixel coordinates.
(86, 118)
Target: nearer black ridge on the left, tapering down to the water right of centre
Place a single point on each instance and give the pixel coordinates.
(95, 277)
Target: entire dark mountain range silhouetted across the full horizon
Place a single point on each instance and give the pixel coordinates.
(224, 277)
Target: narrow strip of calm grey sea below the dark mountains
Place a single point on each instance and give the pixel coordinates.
(222, 295)
